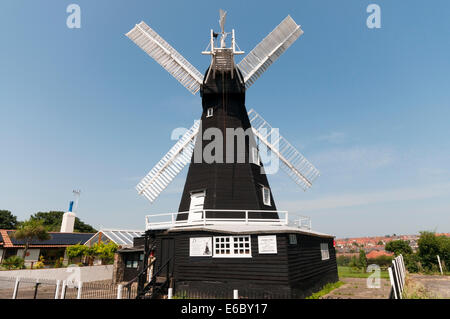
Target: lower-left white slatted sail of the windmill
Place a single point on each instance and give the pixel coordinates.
(169, 166)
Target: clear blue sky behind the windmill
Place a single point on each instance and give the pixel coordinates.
(86, 108)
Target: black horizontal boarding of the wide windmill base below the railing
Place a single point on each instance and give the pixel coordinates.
(298, 268)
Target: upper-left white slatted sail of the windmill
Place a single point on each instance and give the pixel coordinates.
(163, 53)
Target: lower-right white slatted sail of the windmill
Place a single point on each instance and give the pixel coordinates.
(292, 162)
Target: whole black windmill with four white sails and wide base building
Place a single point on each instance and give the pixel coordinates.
(228, 233)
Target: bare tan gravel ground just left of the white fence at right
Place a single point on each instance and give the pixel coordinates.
(356, 288)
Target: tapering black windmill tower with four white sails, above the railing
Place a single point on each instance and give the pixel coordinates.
(223, 100)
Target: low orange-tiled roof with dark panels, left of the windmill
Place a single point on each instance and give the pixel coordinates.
(56, 240)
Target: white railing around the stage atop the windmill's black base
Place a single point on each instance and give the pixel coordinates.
(201, 218)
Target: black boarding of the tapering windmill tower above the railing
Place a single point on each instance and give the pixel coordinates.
(235, 184)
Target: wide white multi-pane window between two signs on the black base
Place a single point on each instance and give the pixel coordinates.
(232, 246)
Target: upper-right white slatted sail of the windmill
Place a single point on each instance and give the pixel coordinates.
(269, 50)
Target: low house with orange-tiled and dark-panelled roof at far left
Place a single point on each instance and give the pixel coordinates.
(52, 249)
